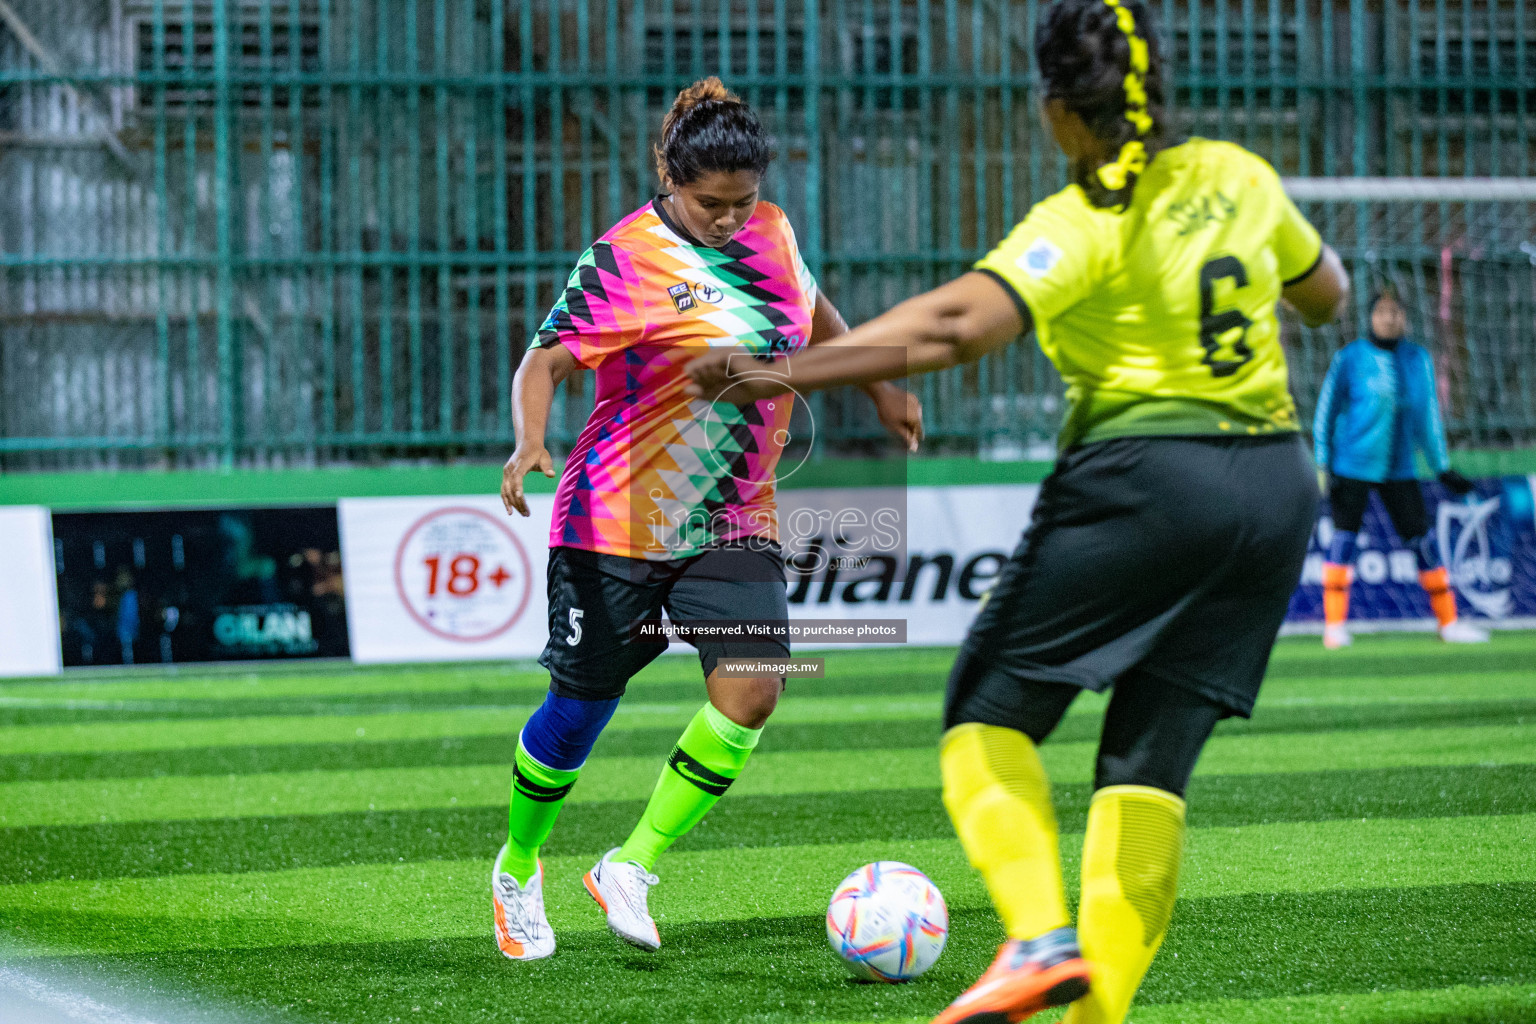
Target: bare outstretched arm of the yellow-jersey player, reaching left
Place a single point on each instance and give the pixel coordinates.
(956, 323)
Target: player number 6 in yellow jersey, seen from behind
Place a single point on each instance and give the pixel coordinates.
(1165, 546)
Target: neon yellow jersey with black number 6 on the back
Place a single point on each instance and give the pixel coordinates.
(1162, 317)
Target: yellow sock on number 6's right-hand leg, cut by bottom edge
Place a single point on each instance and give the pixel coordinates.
(1131, 854)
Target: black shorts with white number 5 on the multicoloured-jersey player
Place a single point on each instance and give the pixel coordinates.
(598, 603)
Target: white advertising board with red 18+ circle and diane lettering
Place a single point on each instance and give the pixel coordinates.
(455, 578)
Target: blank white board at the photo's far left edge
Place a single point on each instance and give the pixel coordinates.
(28, 606)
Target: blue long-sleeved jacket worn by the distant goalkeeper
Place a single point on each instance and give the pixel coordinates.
(1375, 409)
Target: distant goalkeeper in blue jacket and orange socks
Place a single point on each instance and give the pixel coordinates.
(1377, 408)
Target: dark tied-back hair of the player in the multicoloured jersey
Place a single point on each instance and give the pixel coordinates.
(709, 128)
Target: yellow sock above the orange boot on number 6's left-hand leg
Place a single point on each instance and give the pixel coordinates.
(999, 799)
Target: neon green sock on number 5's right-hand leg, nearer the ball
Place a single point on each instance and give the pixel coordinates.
(709, 758)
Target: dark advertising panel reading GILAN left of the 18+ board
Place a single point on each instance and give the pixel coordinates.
(199, 586)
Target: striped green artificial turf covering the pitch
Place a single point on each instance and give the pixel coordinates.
(314, 845)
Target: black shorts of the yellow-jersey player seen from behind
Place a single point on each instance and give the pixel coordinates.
(1173, 557)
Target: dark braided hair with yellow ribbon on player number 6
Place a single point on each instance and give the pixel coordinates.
(1104, 61)
